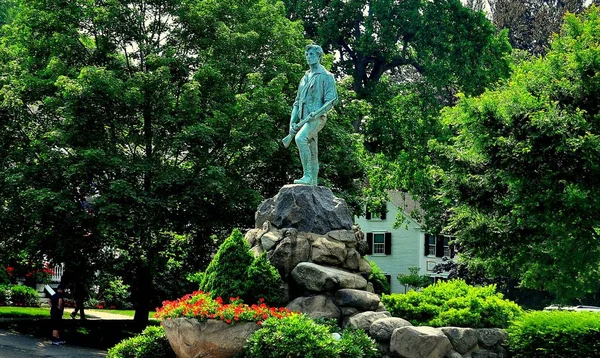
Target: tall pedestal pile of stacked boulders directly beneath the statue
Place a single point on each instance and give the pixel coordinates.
(308, 236)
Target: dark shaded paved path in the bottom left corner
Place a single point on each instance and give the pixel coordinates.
(14, 345)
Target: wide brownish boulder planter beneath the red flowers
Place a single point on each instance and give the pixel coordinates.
(212, 338)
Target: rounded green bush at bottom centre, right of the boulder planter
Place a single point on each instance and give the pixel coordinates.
(299, 336)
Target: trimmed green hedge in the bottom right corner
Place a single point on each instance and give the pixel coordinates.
(555, 334)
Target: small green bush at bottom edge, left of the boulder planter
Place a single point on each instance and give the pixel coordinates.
(151, 343)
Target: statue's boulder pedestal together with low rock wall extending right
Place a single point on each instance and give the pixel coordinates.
(307, 234)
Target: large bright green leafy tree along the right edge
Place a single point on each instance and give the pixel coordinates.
(517, 174)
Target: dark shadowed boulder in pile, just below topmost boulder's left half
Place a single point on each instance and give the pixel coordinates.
(289, 253)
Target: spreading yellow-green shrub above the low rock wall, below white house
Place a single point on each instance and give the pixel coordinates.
(453, 303)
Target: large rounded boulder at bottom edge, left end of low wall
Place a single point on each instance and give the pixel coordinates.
(419, 342)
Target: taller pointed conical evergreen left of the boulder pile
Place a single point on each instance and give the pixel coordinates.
(226, 275)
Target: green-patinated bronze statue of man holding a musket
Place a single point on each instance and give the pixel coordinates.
(316, 96)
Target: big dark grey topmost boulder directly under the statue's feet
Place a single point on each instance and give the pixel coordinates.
(306, 208)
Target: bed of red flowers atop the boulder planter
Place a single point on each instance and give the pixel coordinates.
(201, 306)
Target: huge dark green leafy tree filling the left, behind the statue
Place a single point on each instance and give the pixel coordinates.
(139, 129)
